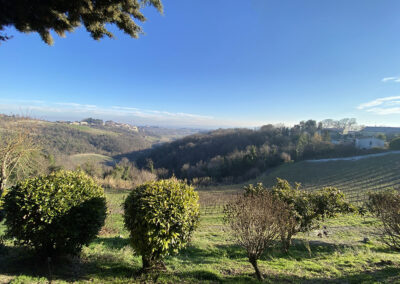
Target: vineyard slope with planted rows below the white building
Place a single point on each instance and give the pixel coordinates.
(353, 176)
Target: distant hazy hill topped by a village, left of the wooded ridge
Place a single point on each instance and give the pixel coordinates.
(63, 138)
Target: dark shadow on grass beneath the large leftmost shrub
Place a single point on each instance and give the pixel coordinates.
(19, 261)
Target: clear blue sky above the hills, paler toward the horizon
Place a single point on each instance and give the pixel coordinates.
(217, 63)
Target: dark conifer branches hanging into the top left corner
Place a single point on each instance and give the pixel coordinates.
(62, 16)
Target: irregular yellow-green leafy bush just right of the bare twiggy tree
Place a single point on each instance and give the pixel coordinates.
(306, 208)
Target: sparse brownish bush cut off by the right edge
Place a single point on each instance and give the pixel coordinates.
(386, 206)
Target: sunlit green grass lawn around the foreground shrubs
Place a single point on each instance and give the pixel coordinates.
(212, 257)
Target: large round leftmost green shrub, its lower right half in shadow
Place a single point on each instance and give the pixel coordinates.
(55, 214)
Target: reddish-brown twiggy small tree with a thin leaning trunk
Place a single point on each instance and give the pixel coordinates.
(255, 221)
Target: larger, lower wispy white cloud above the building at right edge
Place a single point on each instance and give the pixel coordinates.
(382, 106)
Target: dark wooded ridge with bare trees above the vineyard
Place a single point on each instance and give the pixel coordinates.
(236, 155)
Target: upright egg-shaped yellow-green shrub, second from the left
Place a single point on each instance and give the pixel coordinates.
(160, 217)
